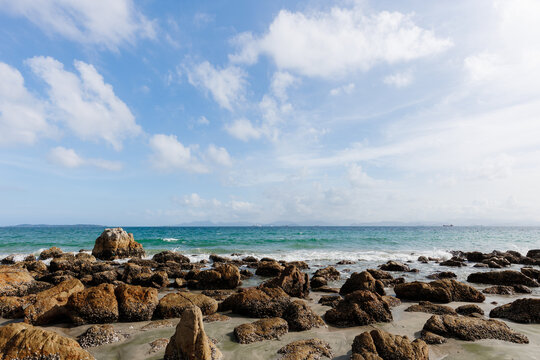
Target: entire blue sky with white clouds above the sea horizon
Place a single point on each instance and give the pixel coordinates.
(264, 112)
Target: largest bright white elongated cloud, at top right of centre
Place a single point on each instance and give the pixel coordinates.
(334, 43)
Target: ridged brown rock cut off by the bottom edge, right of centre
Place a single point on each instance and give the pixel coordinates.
(378, 344)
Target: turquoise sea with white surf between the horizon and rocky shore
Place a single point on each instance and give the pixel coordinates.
(288, 243)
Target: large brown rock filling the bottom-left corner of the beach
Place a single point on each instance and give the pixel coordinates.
(20, 341)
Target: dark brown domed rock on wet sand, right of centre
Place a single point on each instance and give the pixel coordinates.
(359, 308)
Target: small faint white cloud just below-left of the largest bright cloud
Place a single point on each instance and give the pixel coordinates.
(226, 85)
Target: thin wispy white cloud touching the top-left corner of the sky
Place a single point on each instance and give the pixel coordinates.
(102, 22)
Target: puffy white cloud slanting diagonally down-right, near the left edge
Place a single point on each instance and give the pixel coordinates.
(85, 103)
